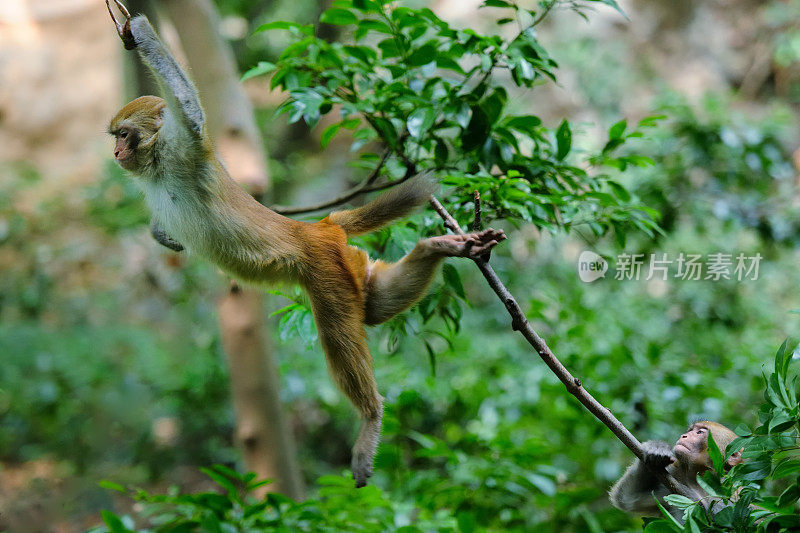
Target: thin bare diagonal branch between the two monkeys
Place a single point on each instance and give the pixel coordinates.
(573, 385)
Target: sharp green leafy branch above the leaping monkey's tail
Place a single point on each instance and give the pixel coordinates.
(426, 92)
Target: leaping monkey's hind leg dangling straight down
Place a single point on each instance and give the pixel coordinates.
(339, 314)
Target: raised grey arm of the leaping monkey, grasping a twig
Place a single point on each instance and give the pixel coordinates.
(179, 91)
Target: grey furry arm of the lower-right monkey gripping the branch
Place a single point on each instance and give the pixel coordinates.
(634, 490)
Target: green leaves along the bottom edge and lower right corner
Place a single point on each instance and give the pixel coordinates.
(771, 451)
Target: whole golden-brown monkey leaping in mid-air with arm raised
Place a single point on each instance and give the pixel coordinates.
(196, 205)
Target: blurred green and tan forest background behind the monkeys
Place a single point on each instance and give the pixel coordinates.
(112, 359)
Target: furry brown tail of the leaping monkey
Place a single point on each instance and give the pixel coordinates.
(391, 205)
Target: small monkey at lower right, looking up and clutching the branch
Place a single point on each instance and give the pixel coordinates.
(635, 490)
